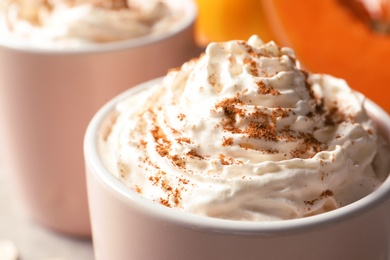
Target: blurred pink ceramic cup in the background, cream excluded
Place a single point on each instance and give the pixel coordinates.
(47, 98)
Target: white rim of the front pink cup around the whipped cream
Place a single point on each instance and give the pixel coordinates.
(224, 226)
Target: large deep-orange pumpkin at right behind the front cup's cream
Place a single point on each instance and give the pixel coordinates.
(329, 37)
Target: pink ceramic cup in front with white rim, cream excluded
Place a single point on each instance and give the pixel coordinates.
(127, 226)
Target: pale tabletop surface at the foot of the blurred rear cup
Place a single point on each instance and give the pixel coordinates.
(31, 240)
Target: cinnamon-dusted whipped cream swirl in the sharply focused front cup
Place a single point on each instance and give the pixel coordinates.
(244, 133)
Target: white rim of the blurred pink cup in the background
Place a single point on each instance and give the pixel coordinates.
(187, 21)
